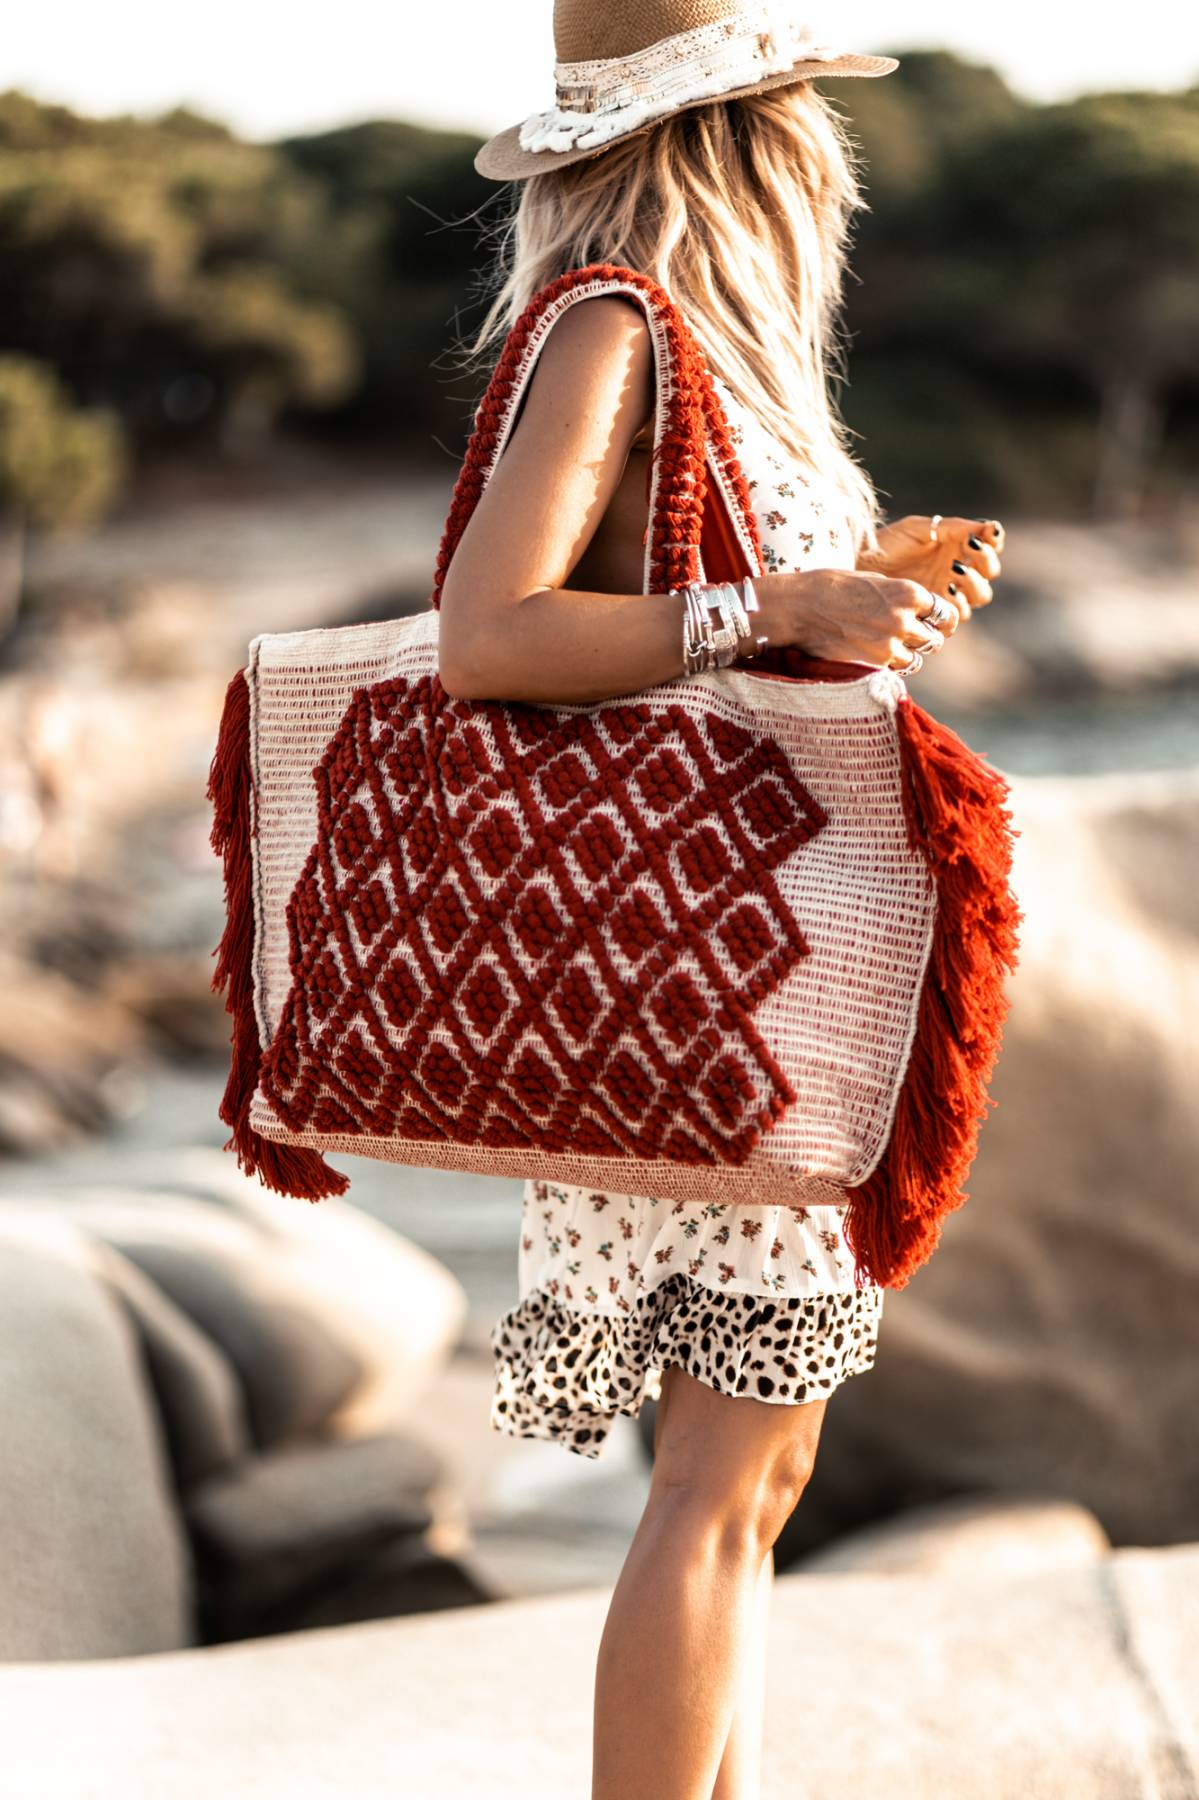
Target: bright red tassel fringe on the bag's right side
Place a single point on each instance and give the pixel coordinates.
(957, 818)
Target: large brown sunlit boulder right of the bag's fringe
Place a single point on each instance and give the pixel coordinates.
(1052, 1344)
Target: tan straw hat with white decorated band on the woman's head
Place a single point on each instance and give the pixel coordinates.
(626, 64)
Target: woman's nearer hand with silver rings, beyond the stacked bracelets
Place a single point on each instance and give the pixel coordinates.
(852, 616)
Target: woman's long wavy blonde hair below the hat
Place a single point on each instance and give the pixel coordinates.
(743, 211)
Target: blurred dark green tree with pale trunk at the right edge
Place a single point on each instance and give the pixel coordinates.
(1092, 260)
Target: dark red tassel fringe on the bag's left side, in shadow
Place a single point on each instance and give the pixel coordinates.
(282, 1167)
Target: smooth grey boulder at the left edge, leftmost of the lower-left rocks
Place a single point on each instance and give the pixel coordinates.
(93, 1556)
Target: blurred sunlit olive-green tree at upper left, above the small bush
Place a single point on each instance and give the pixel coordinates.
(159, 265)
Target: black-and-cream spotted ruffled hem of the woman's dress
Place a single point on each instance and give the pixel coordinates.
(566, 1374)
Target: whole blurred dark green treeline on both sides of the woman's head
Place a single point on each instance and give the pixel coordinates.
(1023, 301)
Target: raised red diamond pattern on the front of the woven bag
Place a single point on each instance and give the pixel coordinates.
(536, 928)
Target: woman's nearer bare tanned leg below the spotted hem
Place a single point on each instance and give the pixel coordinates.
(685, 1614)
